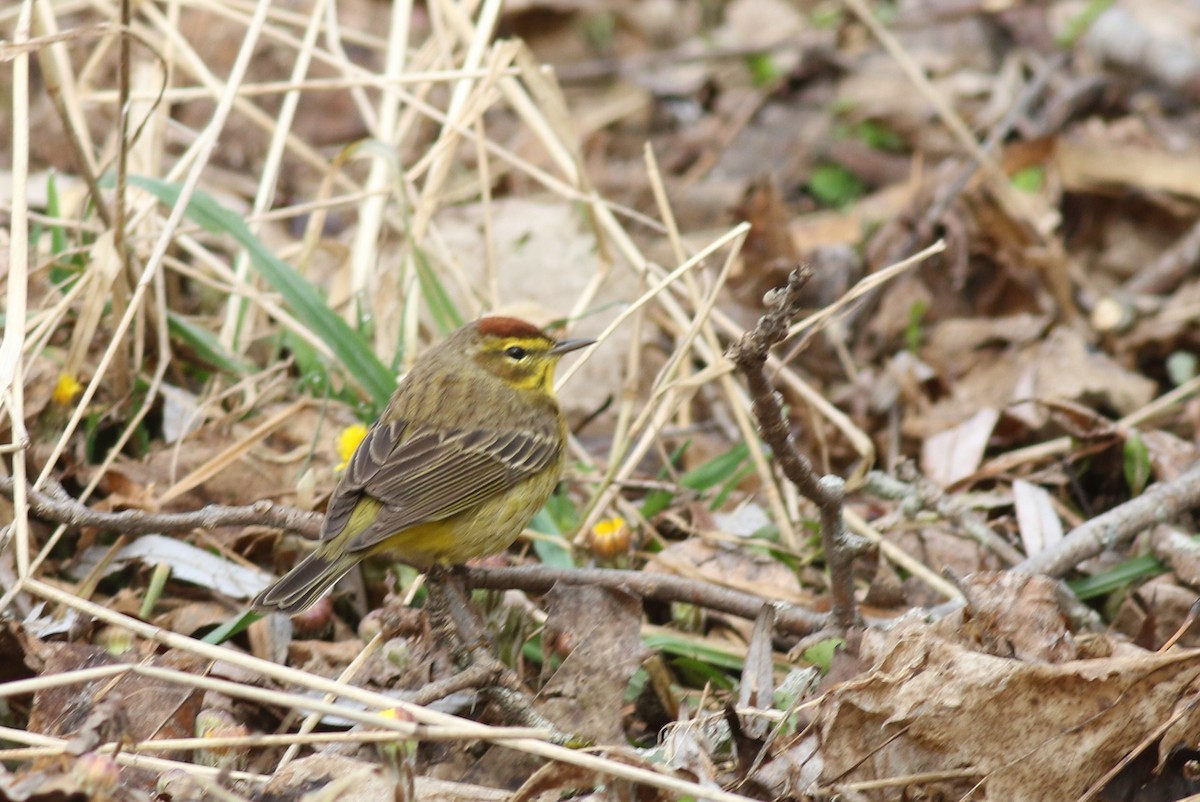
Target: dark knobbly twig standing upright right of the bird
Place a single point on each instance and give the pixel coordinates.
(827, 493)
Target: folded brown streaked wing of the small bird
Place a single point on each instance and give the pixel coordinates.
(433, 476)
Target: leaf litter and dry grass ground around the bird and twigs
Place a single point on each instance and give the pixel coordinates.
(1039, 373)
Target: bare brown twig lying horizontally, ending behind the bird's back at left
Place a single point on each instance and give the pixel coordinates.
(61, 508)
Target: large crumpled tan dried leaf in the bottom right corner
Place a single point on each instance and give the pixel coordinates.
(931, 705)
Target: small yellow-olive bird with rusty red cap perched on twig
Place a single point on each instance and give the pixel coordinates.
(469, 450)
